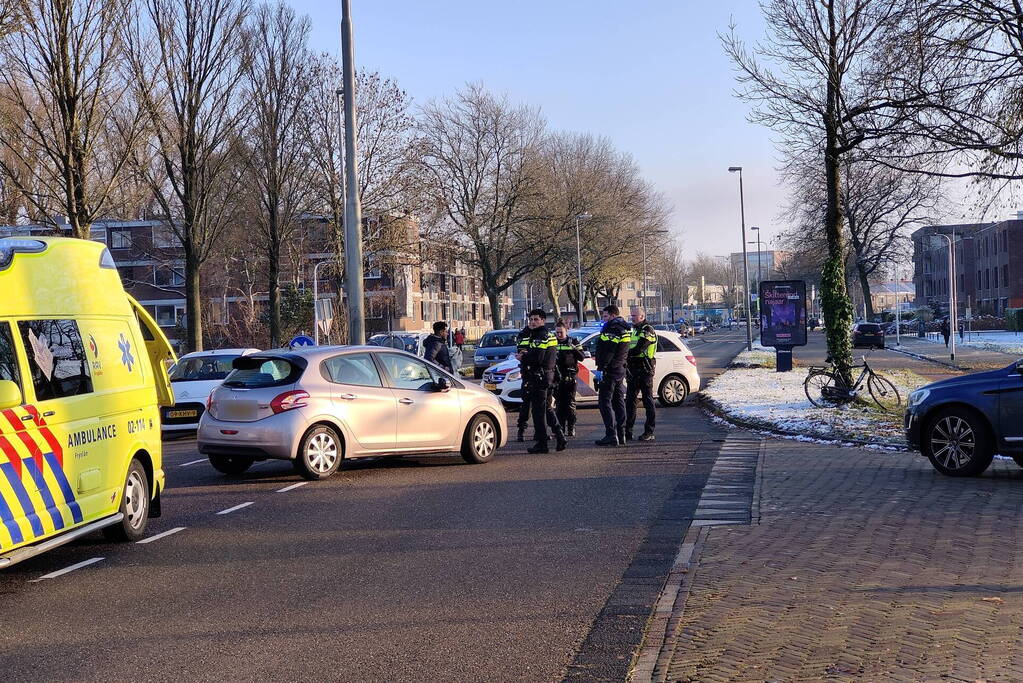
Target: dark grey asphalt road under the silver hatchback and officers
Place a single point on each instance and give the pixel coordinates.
(395, 569)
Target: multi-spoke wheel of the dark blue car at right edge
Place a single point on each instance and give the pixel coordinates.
(959, 443)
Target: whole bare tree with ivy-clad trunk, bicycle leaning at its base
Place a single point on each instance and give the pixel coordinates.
(820, 77)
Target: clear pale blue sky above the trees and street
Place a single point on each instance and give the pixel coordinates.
(649, 75)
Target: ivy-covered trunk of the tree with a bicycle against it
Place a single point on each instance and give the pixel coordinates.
(835, 297)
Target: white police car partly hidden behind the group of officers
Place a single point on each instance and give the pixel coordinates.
(676, 377)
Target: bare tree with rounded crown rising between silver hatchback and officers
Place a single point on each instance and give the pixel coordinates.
(478, 154)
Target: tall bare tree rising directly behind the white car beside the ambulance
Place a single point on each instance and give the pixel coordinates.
(187, 61)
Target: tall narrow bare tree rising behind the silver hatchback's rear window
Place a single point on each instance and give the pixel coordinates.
(278, 86)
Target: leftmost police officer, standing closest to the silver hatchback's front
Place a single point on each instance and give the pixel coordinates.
(538, 362)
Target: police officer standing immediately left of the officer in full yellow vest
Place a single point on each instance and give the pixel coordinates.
(612, 352)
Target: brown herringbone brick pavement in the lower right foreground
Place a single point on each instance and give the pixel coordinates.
(864, 566)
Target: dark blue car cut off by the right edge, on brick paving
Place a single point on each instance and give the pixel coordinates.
(960, 424)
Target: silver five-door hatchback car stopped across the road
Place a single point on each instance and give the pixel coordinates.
(320, 405)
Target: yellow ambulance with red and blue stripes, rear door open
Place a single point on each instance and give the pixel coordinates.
(82, 378)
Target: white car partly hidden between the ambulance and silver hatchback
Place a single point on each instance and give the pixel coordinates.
(194, 378)
